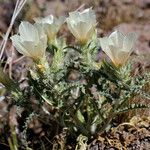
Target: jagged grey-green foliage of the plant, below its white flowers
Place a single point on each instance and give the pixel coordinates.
(83, 95)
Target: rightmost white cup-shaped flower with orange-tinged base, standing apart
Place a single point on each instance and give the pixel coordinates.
(118, 46)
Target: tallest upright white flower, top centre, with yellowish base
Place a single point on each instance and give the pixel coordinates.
(82, 24)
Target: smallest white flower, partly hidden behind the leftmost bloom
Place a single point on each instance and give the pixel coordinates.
(51, 25)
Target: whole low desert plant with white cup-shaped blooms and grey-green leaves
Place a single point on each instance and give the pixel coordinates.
(84, 94)
